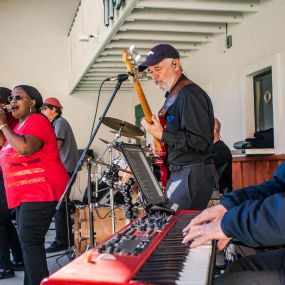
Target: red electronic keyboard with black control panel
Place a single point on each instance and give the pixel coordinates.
(147, 251)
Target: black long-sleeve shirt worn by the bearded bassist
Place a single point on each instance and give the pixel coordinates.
(189, 126)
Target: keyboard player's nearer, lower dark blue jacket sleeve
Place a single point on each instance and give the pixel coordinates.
(257, 223)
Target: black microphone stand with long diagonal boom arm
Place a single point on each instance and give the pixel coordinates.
(80, 161)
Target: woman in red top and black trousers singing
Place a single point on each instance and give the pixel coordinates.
(33, 174)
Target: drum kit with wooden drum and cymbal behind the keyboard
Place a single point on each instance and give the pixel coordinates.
(112, 187)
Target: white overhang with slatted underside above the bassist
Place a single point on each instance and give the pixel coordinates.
(101, 30)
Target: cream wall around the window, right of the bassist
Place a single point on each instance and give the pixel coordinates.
(219, 70)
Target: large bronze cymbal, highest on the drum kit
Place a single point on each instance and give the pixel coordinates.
(127, 129)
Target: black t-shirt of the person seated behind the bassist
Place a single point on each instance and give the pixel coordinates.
(223, 155)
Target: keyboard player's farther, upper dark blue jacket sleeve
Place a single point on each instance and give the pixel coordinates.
(258, 192)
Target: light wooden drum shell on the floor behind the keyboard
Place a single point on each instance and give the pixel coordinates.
(102, 225)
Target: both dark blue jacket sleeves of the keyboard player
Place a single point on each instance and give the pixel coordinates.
(255, 214)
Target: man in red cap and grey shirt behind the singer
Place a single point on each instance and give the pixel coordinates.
(69, 155)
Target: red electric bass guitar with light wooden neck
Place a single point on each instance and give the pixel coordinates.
(131, 63)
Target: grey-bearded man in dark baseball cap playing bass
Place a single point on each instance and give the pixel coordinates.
(188, 134)
